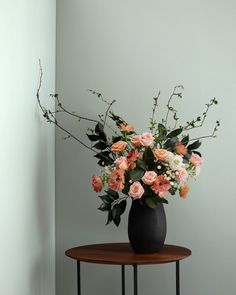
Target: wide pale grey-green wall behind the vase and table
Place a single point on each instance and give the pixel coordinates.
(129, 50)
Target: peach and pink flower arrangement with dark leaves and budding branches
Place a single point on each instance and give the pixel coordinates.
(148, 166)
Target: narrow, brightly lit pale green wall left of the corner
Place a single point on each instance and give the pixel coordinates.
(27, 225)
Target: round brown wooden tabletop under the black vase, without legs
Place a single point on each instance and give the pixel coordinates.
(122, 254)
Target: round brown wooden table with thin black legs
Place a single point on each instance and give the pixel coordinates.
(122, 254)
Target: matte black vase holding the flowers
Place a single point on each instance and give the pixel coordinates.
(146, 227)
